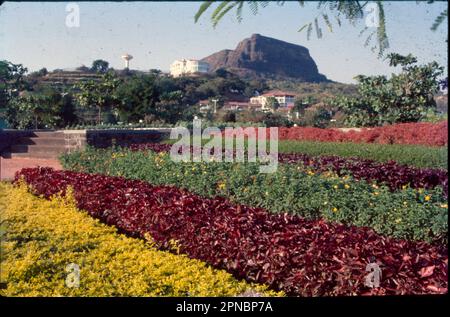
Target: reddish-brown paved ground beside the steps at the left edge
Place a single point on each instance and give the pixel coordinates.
(9, 166)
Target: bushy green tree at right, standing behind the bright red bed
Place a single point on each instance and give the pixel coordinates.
(405, 97)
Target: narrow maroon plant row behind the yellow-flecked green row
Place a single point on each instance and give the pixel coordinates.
(392, 174)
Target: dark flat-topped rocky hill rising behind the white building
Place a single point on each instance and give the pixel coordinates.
(260, 56)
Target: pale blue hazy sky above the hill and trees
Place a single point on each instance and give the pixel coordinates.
(157, 33)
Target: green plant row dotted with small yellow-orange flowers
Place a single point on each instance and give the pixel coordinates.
(407, 213)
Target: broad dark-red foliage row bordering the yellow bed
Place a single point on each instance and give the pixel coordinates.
(301, 257)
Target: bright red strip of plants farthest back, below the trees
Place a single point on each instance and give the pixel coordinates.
(422, 133)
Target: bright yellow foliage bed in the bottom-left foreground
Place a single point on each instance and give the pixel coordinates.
(42, 242)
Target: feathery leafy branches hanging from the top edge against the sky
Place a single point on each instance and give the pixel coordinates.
(352, 11)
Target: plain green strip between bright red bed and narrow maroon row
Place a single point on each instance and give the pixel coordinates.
(414, 155)
